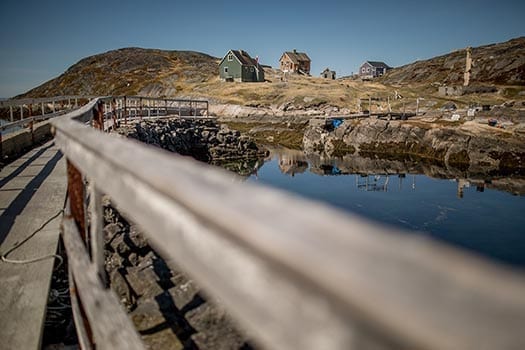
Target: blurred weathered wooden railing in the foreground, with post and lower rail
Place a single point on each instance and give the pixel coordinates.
(296, 274)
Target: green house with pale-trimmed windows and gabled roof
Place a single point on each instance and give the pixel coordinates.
(237, 65)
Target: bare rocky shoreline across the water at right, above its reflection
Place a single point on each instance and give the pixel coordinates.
(470, 146)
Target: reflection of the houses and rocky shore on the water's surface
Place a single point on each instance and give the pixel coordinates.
(373, 174)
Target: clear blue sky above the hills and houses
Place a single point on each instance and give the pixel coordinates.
(41, 39)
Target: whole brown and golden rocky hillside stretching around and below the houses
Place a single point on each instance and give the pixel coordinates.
(187, 74)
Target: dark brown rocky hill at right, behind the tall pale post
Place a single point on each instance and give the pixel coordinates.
(498, 64)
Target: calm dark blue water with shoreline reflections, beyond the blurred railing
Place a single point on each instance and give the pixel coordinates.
(485, 214)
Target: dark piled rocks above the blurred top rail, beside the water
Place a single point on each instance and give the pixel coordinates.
(204, 140)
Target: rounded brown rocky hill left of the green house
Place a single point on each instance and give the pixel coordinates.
(131, 71)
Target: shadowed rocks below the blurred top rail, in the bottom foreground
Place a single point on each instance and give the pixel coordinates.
(165, 306)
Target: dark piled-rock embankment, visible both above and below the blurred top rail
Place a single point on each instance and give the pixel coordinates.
(164, 305)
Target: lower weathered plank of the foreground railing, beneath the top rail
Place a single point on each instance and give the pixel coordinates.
(110, 325)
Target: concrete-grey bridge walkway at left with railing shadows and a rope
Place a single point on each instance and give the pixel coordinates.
(32, 194)
